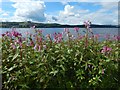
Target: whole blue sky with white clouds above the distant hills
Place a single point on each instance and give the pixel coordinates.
(59, 11)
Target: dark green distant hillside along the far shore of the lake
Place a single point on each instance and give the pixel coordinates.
(48, 25)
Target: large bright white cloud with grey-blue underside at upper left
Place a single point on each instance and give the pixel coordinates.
(29, 10)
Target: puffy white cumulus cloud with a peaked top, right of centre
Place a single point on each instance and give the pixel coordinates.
(70, 15)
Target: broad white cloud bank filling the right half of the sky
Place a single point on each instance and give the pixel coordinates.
(107, 14)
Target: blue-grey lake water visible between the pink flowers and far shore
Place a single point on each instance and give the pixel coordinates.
(101, 31)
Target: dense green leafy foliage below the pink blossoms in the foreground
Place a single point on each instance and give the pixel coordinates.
(67, 64)
